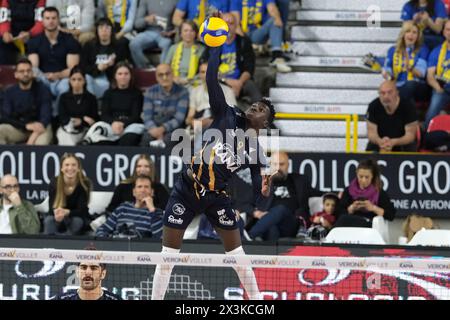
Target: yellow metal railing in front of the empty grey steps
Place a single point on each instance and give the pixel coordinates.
(349, 118)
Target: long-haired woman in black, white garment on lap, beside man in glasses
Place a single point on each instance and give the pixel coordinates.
(121, 122)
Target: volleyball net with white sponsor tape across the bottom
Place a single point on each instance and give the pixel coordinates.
(42, 273)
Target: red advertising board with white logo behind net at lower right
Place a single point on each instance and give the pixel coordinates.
(348, 282)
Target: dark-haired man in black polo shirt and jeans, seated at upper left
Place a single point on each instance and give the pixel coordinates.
(53, 54)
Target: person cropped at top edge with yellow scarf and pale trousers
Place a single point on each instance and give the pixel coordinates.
(121, 13)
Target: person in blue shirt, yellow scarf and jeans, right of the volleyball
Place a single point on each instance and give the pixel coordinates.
(261, 20)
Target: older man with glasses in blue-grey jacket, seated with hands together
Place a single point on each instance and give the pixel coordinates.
(165, 108)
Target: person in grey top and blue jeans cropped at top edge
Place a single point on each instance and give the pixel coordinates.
(155, 19)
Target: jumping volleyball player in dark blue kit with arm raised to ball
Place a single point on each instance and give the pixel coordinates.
(200, 188)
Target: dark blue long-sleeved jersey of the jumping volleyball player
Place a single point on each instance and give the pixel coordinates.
(226, 149)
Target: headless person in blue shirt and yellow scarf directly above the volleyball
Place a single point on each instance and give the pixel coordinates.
(197, 10)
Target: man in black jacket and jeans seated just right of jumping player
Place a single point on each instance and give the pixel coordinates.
(279, 216)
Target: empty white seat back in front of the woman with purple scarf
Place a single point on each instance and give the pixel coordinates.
(354, 235)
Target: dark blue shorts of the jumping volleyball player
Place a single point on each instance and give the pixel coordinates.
(184, 204)
